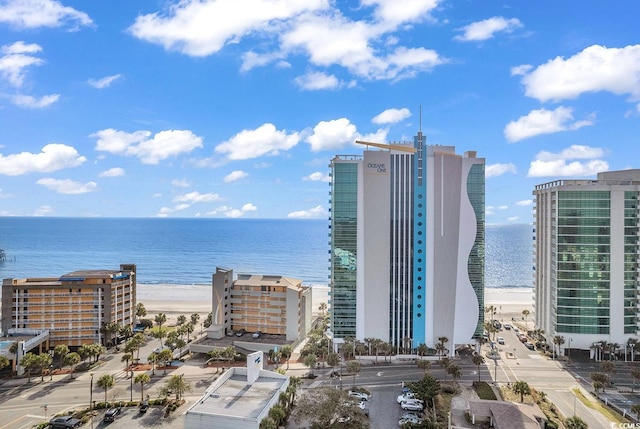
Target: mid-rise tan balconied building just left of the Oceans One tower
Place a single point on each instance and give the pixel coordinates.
(253, 303)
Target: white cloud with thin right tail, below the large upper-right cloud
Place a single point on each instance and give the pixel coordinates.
(543, 121)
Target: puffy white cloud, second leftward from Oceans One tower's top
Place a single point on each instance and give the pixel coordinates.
(264, 140)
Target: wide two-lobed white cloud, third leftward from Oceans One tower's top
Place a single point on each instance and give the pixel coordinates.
(150, 149)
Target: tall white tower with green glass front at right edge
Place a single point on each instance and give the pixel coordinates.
(586, 260)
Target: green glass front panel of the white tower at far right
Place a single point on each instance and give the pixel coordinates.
(582, 262)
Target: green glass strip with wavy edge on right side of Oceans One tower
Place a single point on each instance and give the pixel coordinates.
(475, 264)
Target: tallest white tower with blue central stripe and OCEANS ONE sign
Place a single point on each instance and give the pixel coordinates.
(407, 245)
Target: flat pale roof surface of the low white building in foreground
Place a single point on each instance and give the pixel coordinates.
(234, 397)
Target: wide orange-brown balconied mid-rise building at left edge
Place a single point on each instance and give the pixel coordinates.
(75, 308)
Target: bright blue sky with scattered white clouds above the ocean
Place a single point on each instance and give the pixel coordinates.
(234, 108)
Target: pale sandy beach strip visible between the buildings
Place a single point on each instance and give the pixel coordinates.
(174, 300)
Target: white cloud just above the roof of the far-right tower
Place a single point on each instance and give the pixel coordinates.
(560, 164)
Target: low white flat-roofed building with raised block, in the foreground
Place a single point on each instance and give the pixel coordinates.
(239, 399)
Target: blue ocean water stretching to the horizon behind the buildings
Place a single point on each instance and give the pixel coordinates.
(187, 251)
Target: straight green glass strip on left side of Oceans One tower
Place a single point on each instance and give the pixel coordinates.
(344, 222)
